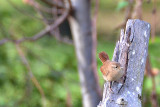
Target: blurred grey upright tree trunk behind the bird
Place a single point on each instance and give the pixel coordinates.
(80, 23)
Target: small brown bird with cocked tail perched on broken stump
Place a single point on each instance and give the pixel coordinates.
(111, 70)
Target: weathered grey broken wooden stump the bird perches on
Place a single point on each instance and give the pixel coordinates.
(131, 51)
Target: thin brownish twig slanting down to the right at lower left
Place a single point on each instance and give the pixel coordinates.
(33, 78)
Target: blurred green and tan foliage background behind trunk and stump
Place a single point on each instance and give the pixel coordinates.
(44, 70)
